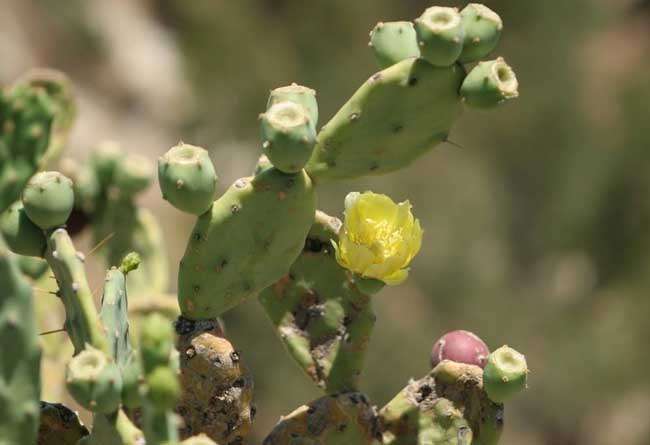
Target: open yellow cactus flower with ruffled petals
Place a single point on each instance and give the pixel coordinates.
(379, 238)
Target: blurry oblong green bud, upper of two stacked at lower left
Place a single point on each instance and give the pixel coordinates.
(156, 342)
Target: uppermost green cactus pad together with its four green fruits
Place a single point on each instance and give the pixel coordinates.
(404, 111)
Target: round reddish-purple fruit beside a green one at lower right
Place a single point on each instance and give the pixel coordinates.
(462, 347)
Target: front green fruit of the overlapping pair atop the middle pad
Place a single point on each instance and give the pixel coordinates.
(288, 136)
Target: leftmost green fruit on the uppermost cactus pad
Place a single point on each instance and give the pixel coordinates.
(393, 42)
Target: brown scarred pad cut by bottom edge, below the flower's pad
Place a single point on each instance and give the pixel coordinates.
(345, 418)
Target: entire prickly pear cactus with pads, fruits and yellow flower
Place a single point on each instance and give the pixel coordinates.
(314, 275)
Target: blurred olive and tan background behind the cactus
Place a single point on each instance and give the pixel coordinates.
(536, 230)
